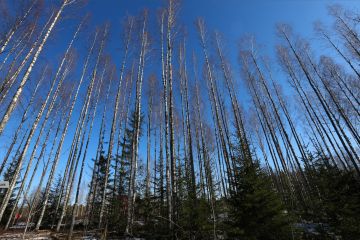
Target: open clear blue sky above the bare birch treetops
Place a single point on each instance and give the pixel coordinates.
(231, 17)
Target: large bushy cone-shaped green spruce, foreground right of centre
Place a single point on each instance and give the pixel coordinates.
(256, 211)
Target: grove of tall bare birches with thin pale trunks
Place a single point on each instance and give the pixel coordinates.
(55, 115)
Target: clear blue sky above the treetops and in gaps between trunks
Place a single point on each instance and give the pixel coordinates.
(233, 18)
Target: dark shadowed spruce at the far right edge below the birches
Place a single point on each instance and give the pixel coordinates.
(335, 208)
